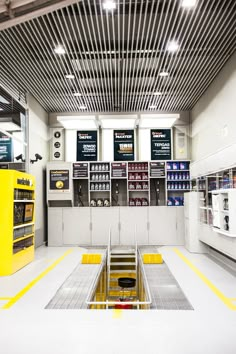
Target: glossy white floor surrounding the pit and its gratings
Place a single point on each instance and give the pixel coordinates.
(27, 328)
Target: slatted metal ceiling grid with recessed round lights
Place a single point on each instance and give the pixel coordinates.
(117, 56)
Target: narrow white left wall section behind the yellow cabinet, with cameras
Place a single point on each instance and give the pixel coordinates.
(38, 143)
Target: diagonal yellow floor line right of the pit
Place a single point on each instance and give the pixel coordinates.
(227, 301)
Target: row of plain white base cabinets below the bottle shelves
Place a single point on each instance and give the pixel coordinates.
(87, 226)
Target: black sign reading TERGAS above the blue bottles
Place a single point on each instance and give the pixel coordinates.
(160, 144)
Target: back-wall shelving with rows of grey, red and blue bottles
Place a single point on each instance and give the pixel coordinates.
(130, 183)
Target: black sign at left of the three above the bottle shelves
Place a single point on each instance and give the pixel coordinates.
(87, 145)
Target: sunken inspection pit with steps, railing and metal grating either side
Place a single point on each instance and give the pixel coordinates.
(121, 281)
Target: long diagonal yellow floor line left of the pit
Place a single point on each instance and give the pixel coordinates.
(21, 293)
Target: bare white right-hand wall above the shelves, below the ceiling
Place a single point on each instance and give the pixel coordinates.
(213, 127)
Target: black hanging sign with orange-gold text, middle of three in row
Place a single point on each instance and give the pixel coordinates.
(123, 145)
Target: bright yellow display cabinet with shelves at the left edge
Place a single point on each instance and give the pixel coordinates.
(17, 209)
